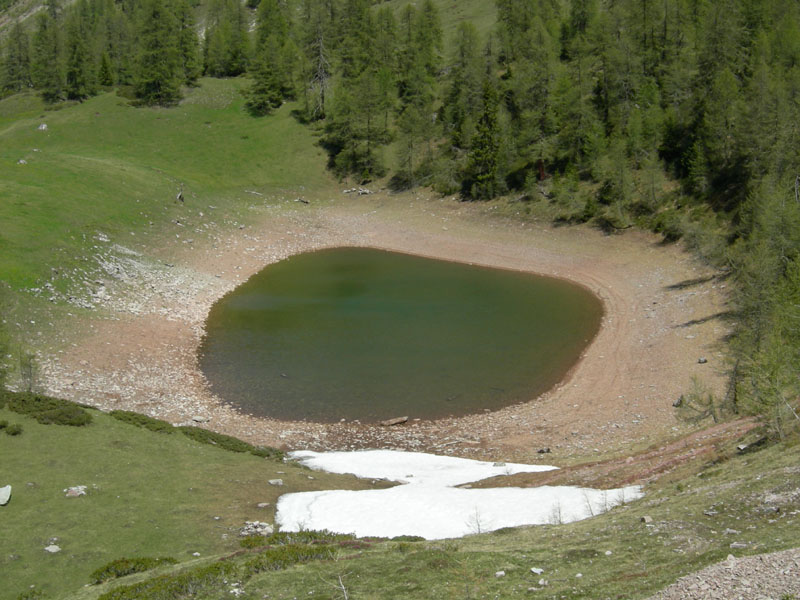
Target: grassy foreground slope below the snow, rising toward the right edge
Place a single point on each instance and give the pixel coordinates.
(745, 491)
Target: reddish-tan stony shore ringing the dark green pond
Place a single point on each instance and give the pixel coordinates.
(139, 353)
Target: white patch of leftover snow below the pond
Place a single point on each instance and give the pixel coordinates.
(426, 504)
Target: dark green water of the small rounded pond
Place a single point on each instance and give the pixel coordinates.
(365, 334)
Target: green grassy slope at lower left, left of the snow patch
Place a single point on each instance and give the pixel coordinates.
(149, 494)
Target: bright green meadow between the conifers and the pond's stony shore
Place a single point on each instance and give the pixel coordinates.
(105, 166)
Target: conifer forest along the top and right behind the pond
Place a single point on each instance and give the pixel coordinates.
(680, 116)
